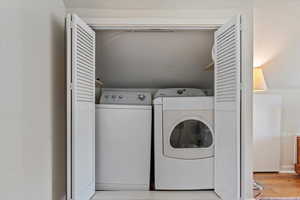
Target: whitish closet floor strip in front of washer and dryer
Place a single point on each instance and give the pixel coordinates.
(156, 195)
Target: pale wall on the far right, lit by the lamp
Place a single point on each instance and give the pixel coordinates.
(279, 57)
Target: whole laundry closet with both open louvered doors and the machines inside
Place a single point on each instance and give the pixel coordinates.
(162, 96)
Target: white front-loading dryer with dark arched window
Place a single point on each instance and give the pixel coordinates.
(184, 140)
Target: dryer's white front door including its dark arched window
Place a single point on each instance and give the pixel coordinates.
(187, 136)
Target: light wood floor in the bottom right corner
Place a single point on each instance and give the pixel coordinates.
(278, 184)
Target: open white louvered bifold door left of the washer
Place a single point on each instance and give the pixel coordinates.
(81, 109)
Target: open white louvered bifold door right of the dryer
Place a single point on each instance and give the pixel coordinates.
(227, 110)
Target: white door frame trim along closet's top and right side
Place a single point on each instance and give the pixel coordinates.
(205, 20)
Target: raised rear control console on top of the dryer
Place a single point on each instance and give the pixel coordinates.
(179, 92)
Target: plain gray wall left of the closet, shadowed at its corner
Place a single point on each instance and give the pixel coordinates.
(32, 108)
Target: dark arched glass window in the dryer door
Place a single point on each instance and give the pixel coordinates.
(191, 134)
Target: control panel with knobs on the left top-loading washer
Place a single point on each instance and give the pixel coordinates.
(126, 97)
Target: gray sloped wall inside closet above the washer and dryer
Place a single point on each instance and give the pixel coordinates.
(154, 59)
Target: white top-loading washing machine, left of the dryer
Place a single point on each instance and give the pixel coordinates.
(123, 140)
